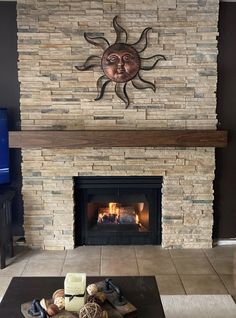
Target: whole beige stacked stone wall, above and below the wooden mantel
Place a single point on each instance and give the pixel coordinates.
(55, 96)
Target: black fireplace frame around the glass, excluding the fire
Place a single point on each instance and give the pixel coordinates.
(151, 187)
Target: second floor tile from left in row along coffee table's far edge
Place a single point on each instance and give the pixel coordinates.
(43, 268)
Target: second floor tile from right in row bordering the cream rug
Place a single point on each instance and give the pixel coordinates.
(203, 284)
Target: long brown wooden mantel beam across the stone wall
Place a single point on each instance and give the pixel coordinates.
(117, 138)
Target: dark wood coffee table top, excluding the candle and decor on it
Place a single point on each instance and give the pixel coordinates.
(141, 291)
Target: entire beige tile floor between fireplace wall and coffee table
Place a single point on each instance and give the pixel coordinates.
(191, 271)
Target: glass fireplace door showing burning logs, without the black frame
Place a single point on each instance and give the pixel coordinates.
(120, 211)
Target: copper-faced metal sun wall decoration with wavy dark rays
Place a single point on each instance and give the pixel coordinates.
(121, 62)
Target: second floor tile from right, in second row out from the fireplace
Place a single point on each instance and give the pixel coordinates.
(199, 265)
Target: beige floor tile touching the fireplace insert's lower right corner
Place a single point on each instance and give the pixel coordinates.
(151, 251)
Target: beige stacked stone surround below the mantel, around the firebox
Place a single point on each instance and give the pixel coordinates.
(187, 190)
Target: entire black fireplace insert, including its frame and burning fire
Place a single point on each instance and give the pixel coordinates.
(117, 210)
